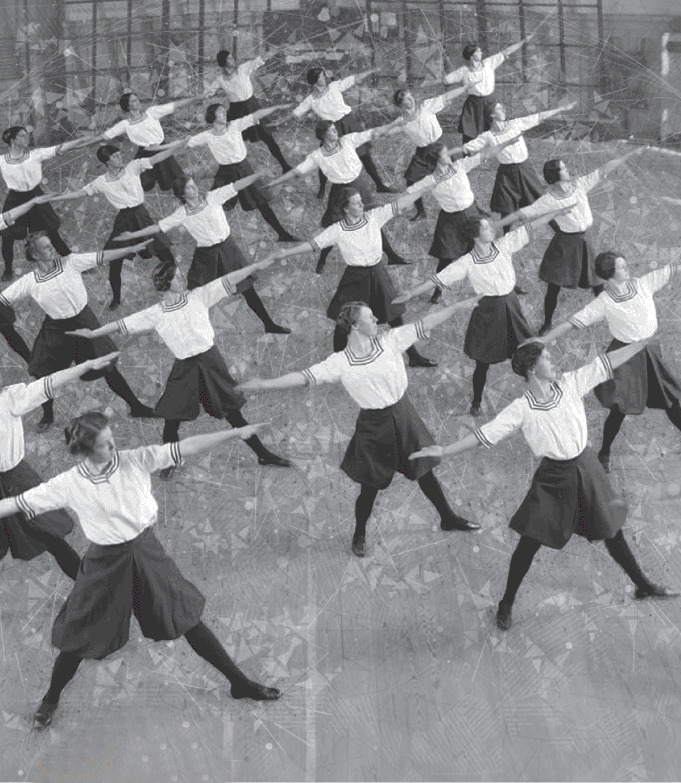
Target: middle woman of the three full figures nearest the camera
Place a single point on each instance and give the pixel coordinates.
(372, 371)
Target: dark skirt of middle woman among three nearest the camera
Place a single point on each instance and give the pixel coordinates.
(382, 442)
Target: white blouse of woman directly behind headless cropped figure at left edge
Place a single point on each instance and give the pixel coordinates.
(61, 292)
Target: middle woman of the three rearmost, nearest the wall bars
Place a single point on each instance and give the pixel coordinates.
(327, 103)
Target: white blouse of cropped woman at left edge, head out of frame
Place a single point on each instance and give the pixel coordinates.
(15, 402)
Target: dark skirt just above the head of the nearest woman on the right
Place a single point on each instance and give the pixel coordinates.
(496, 329)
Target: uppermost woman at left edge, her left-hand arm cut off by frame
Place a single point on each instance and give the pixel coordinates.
(22, 171)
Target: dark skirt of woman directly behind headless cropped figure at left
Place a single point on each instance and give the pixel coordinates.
(54, 350)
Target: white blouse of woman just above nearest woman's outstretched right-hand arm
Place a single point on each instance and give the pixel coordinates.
(185, 326)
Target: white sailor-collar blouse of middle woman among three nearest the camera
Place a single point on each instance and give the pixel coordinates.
(374, 381)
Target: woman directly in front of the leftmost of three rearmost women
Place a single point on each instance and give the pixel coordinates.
(225, 141)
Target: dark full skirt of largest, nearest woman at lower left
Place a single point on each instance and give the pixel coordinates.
(116, 581)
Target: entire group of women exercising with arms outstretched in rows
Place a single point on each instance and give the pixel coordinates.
(125, 569)
